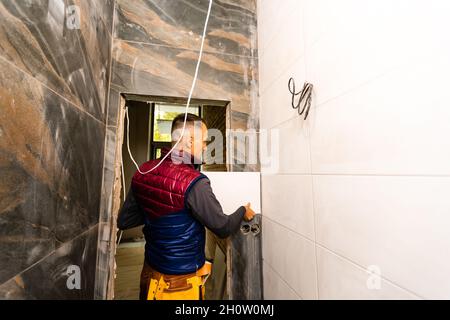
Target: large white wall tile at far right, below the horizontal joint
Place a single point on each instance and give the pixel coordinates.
(400, 224)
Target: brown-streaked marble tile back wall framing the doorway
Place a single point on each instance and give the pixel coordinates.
(155, 50)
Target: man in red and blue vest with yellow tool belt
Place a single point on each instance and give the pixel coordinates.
(175, 203)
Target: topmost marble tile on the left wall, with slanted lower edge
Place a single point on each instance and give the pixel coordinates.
(73, 61)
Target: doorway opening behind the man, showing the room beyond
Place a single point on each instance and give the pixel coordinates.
(150, 130)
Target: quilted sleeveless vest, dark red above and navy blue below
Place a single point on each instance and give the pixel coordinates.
(175, 240)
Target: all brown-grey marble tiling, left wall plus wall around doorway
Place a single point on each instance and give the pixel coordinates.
(60, 91)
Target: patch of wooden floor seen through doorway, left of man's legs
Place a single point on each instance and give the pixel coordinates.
(129, 260)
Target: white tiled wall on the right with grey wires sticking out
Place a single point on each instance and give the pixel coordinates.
(365, 181)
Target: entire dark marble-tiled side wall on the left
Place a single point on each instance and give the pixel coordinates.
(54, 79)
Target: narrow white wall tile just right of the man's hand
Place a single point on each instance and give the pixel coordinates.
(287, 199)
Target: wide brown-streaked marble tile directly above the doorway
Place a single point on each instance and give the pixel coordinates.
(158, 70)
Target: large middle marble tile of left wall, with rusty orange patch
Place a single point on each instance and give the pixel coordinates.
(51, 167)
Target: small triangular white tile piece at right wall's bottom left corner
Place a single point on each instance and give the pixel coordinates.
(276, 288)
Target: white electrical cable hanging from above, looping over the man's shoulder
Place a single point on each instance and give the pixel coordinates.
(187, 104)
